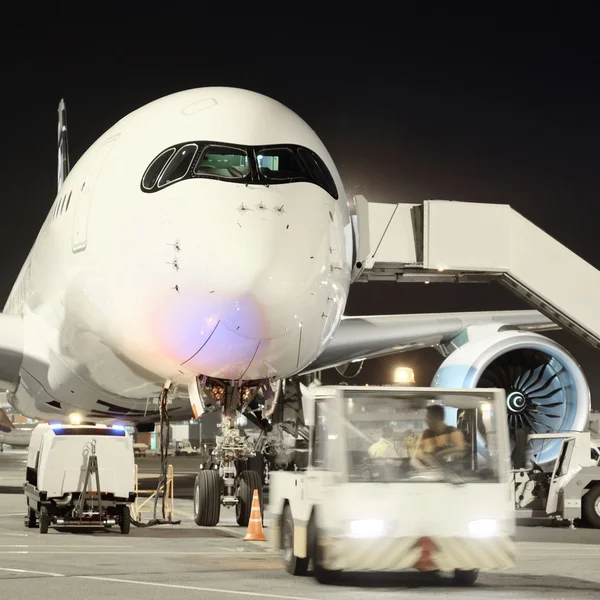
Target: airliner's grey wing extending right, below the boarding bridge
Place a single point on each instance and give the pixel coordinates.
(360, 338)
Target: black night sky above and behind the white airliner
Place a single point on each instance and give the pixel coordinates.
(411, 104)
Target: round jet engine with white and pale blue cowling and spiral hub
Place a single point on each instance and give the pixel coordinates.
(546, 390)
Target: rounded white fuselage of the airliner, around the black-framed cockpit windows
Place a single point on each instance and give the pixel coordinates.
(124, 289)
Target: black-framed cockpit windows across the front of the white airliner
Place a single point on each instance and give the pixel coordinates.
(258, 165)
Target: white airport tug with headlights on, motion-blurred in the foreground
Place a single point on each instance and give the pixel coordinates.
(349, 507)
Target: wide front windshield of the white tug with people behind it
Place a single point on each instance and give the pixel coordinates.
(393, 439)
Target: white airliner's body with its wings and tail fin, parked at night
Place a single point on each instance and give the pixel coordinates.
(204, 245)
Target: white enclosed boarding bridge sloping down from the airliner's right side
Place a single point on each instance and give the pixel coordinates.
(445, 241)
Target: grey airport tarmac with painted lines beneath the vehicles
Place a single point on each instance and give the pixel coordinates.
(185, 561)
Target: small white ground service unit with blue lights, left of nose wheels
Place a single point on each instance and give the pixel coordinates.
(79, 476)
